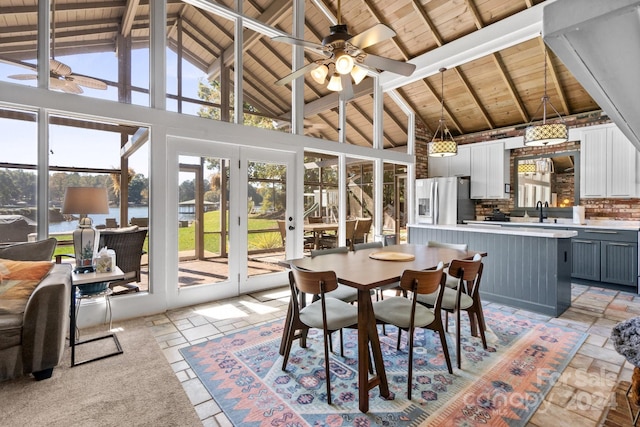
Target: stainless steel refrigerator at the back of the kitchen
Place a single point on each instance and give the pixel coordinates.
(444, 200)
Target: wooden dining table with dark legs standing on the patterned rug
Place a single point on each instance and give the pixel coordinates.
(360, 271)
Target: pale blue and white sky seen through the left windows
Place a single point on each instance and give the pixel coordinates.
(78, 147)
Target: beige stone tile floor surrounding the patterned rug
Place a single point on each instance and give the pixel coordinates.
(582, 395)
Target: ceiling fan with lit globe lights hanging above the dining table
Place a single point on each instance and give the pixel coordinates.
(344, 57)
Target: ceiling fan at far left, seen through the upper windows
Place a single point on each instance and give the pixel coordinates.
(60, 75)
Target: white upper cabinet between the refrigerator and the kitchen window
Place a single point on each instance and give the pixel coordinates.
(489, 170)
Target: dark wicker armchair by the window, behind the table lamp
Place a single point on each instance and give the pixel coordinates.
(128, 248)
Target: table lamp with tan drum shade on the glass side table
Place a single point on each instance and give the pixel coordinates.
(85, 201)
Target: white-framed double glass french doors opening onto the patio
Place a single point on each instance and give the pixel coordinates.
(229, 202)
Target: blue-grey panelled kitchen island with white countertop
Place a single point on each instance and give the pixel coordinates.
(527, 268)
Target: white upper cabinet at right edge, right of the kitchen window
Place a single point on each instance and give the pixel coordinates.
(607, 163)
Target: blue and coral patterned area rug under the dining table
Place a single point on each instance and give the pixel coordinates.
(502, 385)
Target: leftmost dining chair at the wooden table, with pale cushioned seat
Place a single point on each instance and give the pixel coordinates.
(328, 314)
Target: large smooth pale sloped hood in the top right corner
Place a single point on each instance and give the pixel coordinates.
(599, 42)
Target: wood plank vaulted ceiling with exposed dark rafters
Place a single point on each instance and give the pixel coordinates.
(502, 89)
